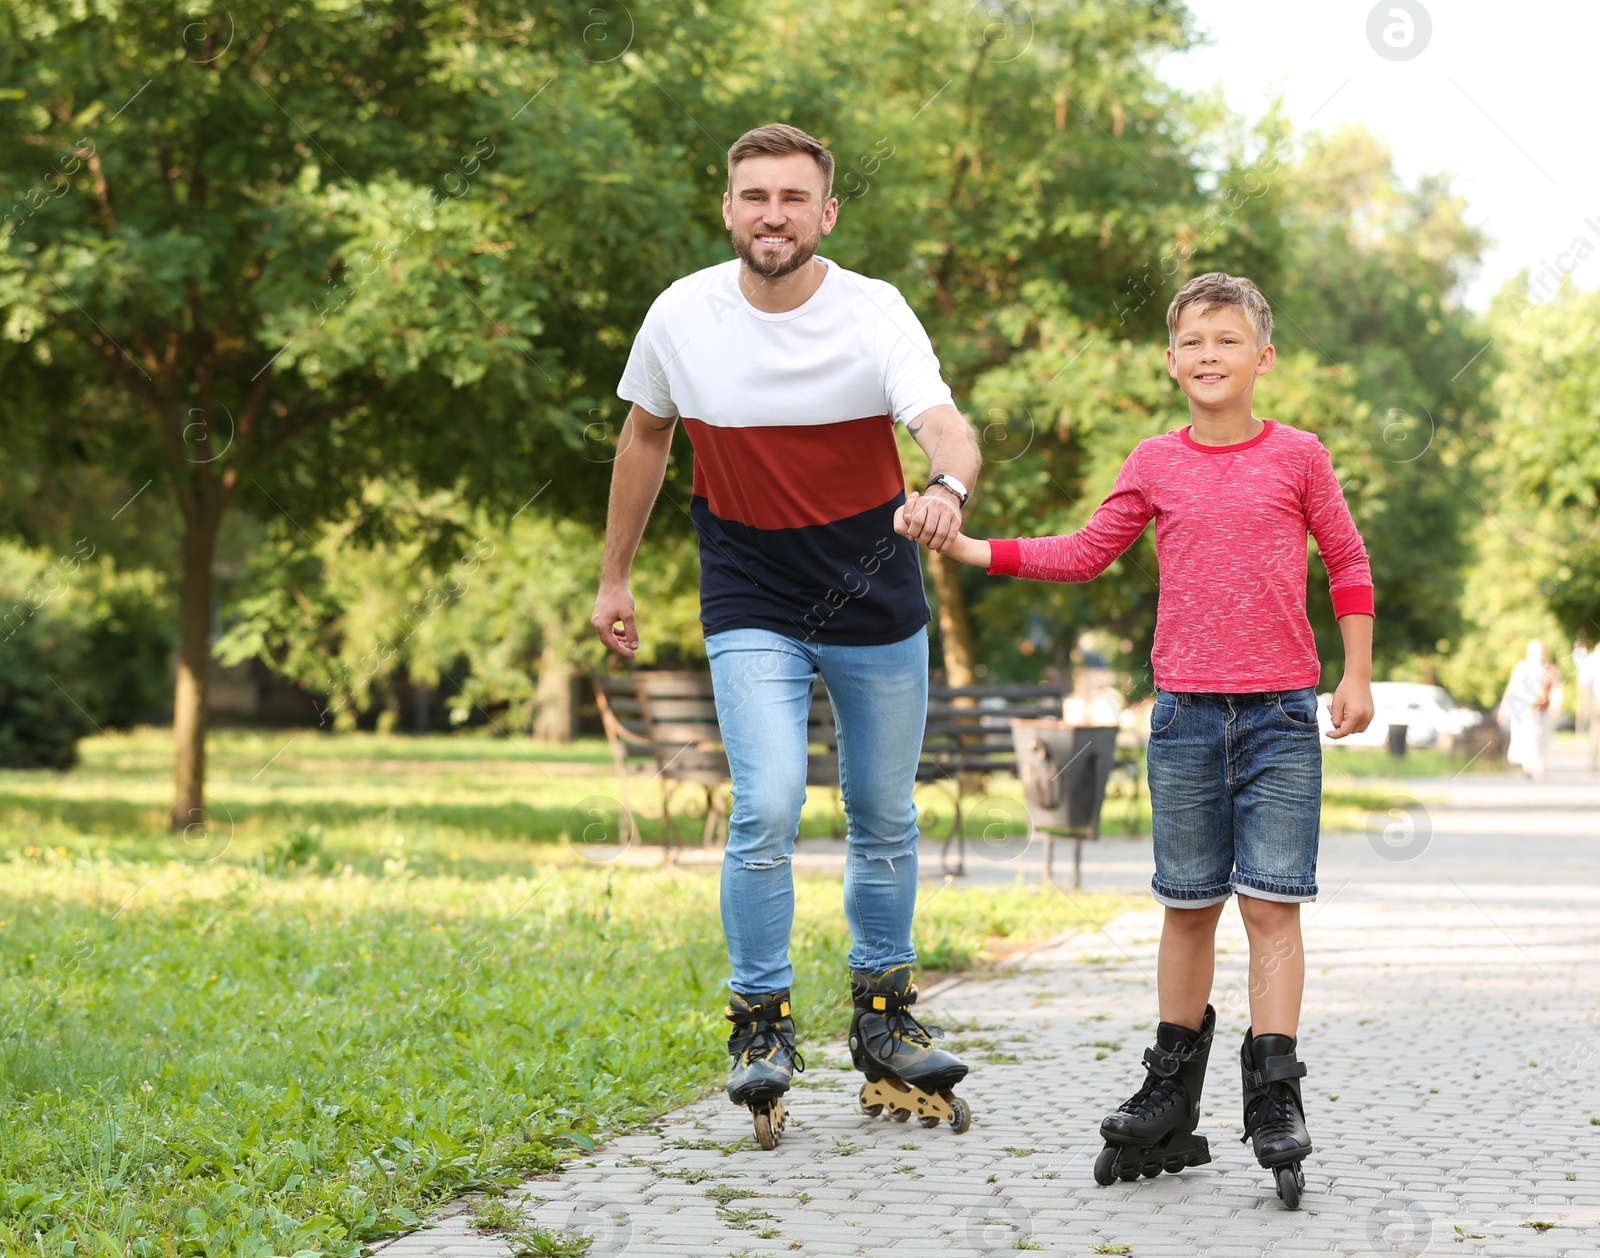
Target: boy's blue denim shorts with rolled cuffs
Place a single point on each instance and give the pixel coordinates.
(1236, 795)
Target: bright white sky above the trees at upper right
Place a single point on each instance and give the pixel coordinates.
(1505, 97)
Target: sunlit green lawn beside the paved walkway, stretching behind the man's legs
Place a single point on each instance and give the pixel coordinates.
(390, 982)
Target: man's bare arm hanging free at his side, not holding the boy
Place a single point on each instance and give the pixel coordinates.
(636, 479)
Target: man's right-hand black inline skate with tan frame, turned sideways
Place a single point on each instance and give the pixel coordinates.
(906, 1075)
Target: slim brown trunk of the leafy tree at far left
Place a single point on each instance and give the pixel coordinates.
(191, 700)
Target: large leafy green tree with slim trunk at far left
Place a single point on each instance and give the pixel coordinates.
(268, 255)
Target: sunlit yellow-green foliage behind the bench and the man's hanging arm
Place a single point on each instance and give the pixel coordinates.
(441, 593)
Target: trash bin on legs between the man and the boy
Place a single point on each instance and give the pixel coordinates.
(1065, 771)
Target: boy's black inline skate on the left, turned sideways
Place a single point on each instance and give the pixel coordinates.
(1154, 1129)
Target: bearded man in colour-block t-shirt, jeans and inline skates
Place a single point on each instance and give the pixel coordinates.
(790, 375)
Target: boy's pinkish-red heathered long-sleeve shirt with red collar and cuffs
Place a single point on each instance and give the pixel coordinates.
(1231, 526)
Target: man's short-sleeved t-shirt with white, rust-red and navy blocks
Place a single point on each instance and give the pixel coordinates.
(796, 468)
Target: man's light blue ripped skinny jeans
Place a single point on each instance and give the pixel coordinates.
(881, 703)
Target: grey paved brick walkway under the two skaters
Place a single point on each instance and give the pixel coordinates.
(1452, 1033)
